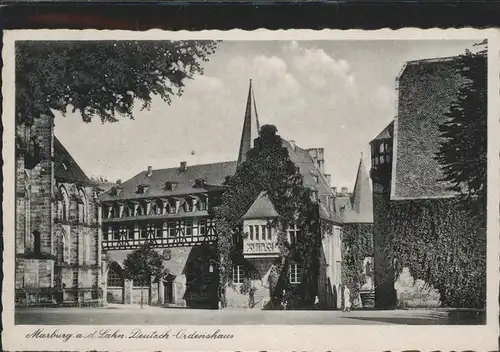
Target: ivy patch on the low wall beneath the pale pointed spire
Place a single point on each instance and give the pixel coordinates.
(357, 244)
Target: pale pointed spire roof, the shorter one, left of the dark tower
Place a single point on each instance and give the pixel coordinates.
(362, 202)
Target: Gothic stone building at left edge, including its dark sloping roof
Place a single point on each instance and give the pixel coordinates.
(57, 222)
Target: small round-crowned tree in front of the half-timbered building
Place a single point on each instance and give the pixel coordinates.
(144, 264)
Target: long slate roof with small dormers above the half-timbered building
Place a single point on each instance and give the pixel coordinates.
(212, 174)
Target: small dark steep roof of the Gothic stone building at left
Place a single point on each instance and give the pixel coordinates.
(65, 167)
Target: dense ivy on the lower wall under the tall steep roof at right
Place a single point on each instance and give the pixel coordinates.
(440, 244)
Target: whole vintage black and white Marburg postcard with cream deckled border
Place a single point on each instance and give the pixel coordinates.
(288, 190)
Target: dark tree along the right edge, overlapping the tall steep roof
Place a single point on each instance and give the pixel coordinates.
(463, 148)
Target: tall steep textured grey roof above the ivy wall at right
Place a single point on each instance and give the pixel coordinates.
(426, 90)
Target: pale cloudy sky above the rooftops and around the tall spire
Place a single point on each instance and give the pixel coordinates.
(336, 95)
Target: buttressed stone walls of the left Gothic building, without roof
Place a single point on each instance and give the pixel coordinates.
(59, 266)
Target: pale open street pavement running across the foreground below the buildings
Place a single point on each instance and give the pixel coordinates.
(122, 315)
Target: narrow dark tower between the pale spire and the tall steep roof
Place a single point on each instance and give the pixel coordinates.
(381, 171)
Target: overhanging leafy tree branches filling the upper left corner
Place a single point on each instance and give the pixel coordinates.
(103, 78)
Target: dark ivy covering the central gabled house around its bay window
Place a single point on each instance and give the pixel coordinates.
(268, 168)
